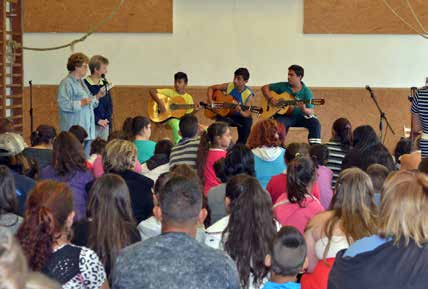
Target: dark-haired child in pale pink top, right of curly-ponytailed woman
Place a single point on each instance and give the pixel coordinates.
(319, 155)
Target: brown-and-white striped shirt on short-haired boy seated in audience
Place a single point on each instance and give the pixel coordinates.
(185, 153)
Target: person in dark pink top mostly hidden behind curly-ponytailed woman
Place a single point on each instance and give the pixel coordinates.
(278, 184)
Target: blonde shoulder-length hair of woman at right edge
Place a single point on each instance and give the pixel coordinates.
(404, 207)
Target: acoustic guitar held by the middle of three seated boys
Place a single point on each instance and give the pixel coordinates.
(225, 105)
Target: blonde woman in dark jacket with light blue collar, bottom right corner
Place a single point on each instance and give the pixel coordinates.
(397, 253)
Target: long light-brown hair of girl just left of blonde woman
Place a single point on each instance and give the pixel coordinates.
(353, 206)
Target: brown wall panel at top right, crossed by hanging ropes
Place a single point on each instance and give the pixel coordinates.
(361, 16)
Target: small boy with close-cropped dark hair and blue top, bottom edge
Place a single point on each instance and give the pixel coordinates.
(287, 259)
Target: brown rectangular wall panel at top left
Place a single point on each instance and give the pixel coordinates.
(80, 15)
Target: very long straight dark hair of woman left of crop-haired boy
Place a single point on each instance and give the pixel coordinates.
(251, 227)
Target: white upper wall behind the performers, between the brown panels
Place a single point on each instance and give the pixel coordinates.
(212, 38)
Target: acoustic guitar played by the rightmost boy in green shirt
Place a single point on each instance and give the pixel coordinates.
(285, 100)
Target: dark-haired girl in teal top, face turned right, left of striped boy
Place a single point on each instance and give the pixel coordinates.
(139, 130)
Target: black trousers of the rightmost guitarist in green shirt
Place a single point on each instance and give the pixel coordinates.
(311, 123)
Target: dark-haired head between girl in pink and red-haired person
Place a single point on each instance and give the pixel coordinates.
(239, 160)
